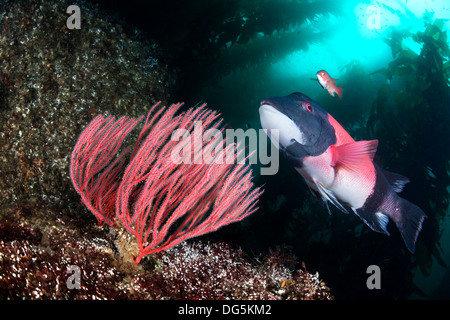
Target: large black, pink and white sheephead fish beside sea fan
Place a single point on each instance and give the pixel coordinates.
(337, 168)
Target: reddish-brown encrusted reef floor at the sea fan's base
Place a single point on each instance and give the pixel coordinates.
(38, 251)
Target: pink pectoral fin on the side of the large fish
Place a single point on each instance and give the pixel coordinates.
(352, 155)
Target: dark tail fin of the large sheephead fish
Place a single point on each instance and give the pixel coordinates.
(409, 219)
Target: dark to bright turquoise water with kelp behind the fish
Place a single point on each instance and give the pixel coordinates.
(391, 57)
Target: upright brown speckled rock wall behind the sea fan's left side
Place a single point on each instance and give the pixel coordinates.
(53, 81)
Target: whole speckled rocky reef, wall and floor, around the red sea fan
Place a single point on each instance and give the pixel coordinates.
(53, 81)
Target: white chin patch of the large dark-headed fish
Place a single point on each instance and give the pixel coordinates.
(272, 119)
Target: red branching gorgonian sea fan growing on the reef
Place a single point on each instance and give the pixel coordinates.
(156, 197)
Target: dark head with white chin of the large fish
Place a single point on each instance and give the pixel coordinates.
(300, 121)
